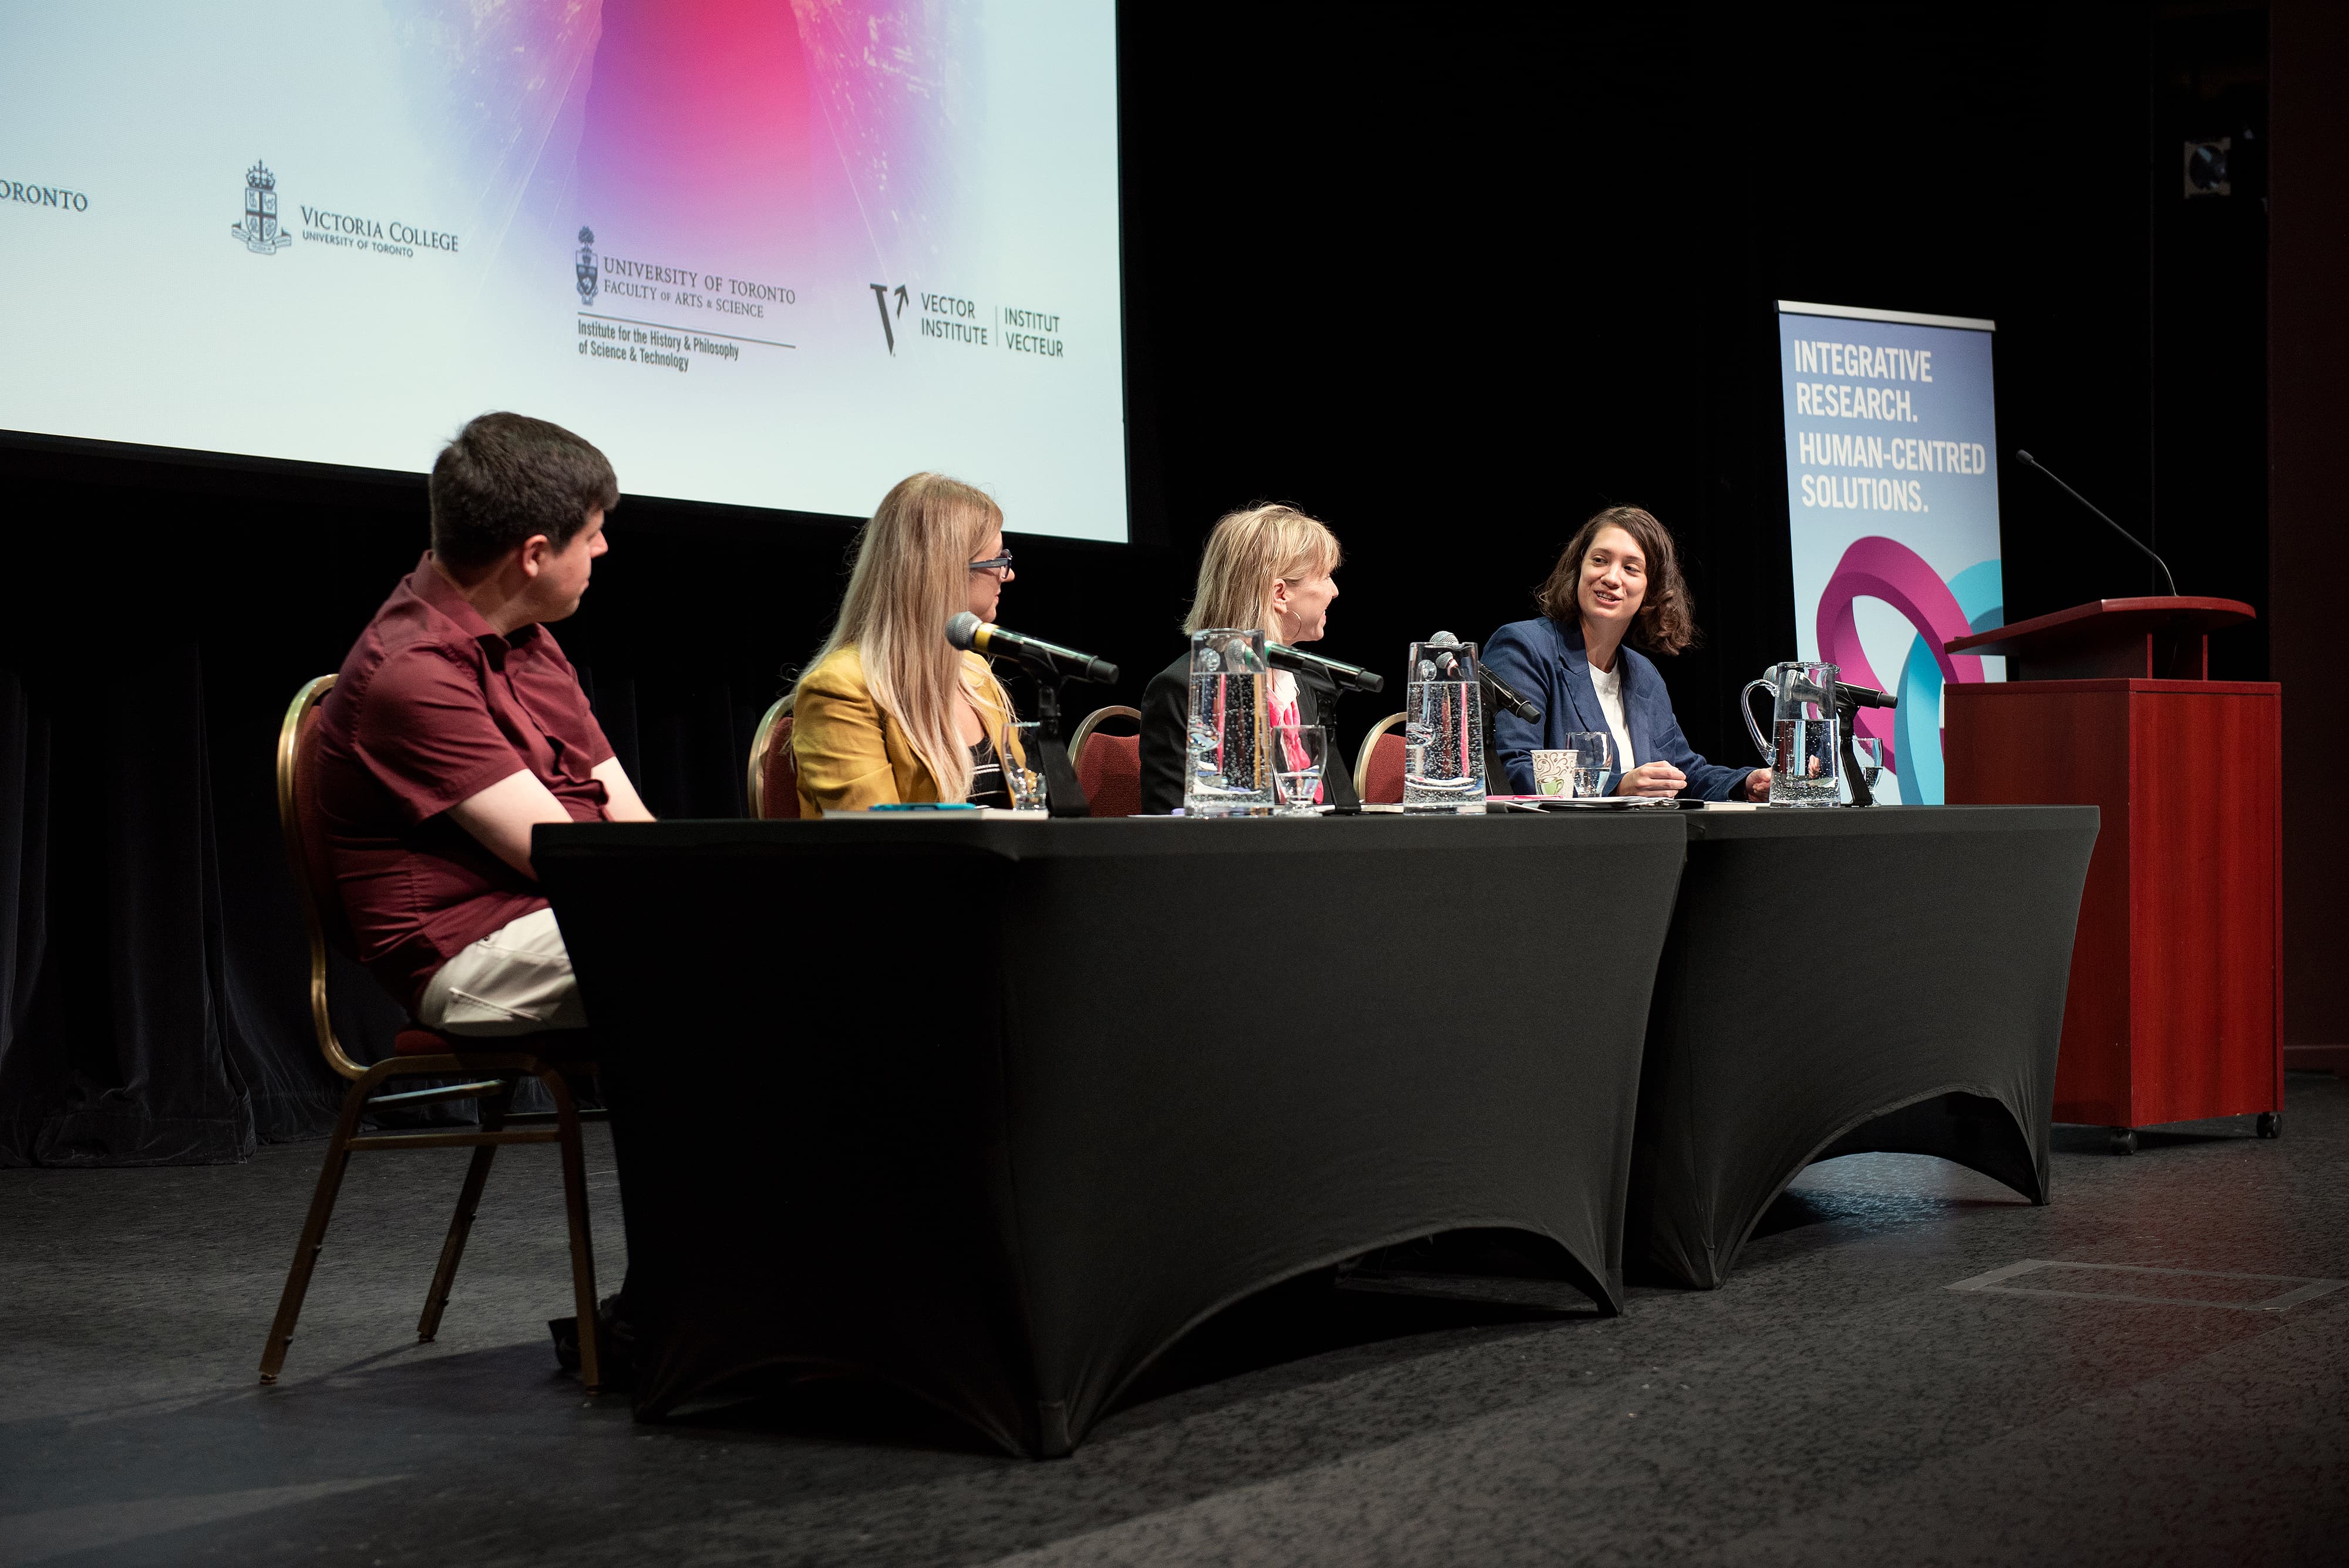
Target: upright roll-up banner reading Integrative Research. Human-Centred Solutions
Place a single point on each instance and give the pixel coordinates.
(1892, 492)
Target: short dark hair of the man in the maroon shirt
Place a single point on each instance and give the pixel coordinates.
(506, 478)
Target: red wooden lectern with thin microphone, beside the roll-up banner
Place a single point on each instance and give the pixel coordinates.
(2176, 994)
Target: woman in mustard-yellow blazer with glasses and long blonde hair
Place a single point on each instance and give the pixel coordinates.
(891, 710)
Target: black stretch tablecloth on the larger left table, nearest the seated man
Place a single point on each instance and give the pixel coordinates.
(999, 1109)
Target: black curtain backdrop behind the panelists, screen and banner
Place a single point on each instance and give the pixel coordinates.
(1446, 283)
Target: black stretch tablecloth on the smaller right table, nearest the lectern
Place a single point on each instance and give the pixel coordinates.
(1845, 982)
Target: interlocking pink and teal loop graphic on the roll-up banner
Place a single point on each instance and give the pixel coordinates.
(1939, 611)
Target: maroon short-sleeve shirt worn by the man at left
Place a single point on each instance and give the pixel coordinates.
(431, 710)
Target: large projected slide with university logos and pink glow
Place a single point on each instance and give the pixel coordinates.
(762, 252)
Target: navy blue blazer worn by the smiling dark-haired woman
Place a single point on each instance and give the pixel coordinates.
(1547, 663)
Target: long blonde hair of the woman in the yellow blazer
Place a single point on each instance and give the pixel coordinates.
(910, 579)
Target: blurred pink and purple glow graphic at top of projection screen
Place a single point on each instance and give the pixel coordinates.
(786, 140)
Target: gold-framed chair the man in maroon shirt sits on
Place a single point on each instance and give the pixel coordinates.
(492, 1074)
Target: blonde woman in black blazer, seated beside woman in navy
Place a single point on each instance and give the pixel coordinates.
(1267, 567)
